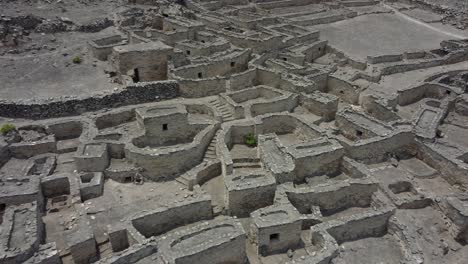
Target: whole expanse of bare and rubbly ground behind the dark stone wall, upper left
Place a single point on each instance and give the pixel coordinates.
(43, 44)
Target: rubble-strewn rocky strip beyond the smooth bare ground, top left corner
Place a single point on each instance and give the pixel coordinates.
(30, 26)
